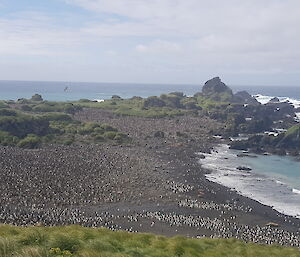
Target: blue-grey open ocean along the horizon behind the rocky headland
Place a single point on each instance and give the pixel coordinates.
(55, 91)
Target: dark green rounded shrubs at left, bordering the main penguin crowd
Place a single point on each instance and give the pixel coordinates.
(31, 130)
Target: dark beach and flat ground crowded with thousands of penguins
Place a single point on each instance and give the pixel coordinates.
(154, 184)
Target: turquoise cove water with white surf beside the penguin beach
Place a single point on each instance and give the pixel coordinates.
(273, 180)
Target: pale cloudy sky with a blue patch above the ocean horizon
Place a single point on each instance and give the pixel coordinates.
(248, 42)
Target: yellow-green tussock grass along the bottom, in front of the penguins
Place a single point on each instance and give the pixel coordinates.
(87, 242)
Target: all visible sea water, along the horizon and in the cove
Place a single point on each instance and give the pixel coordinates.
(273, 180)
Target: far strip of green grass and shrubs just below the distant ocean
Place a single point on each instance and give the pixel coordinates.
(166, 105)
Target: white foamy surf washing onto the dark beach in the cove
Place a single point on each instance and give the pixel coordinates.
(264, 189)
